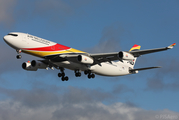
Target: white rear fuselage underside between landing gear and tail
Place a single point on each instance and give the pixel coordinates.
(108, 69)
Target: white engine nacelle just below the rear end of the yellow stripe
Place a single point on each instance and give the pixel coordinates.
(85, 59)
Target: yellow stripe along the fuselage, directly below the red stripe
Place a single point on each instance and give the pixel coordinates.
(49, 53)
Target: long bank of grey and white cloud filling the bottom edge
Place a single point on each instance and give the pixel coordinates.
(71, 104)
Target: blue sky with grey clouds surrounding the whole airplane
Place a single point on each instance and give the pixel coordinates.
(92, 26)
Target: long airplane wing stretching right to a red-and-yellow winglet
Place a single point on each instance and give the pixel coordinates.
(104, 57)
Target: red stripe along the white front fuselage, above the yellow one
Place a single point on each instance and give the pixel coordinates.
(56, 47)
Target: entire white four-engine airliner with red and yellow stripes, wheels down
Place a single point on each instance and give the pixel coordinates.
(59, 56)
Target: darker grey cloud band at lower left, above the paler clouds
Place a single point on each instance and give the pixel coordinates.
(38, 97)
